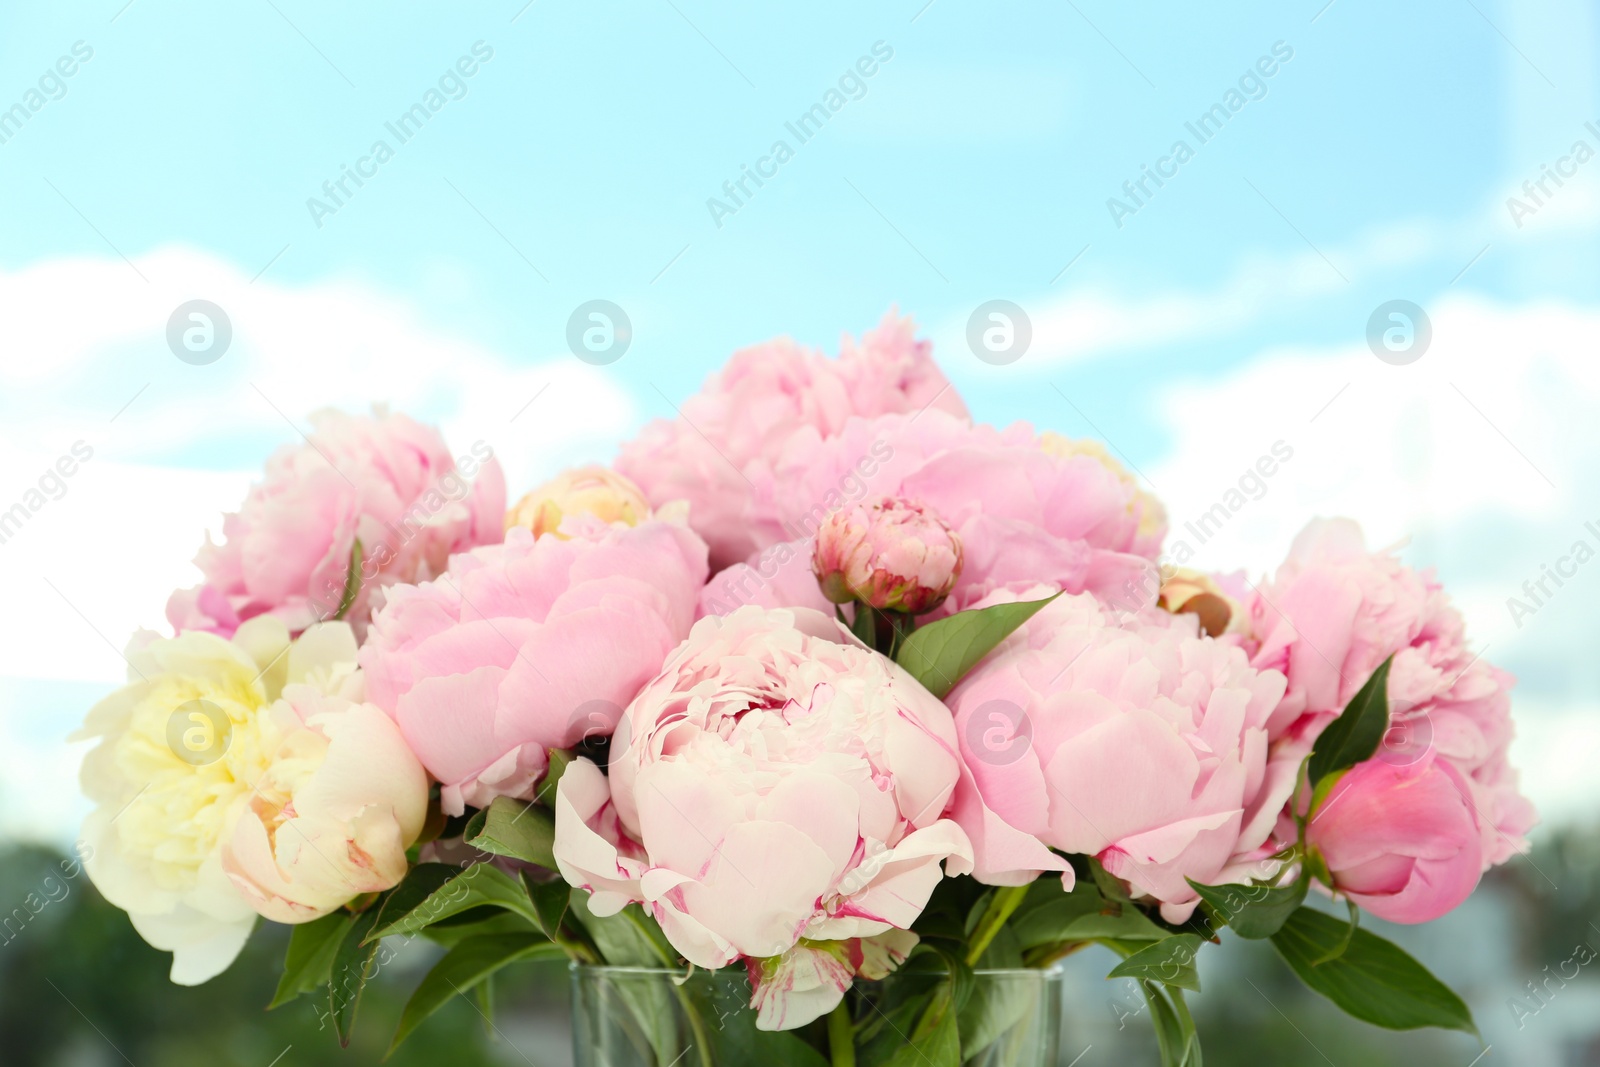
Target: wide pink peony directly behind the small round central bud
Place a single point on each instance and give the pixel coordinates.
(1028, 510)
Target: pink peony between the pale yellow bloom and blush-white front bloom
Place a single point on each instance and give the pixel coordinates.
(529, 647)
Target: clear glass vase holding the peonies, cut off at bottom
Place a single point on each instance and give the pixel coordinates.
(655, 1018)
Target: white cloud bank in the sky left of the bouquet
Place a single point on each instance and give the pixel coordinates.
(84, 335)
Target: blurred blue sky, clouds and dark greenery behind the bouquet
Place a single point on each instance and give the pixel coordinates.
(1377, 246)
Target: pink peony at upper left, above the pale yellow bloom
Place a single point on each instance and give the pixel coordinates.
(382, 481)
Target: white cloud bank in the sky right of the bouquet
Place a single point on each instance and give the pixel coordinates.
(1446, 454)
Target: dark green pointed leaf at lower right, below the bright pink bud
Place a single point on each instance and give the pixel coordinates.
(1374, 980)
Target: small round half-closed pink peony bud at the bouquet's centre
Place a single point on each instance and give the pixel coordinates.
(895, 556)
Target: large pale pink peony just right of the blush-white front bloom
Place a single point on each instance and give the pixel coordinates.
(1143, 746)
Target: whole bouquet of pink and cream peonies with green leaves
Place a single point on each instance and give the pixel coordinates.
(823, 684)
